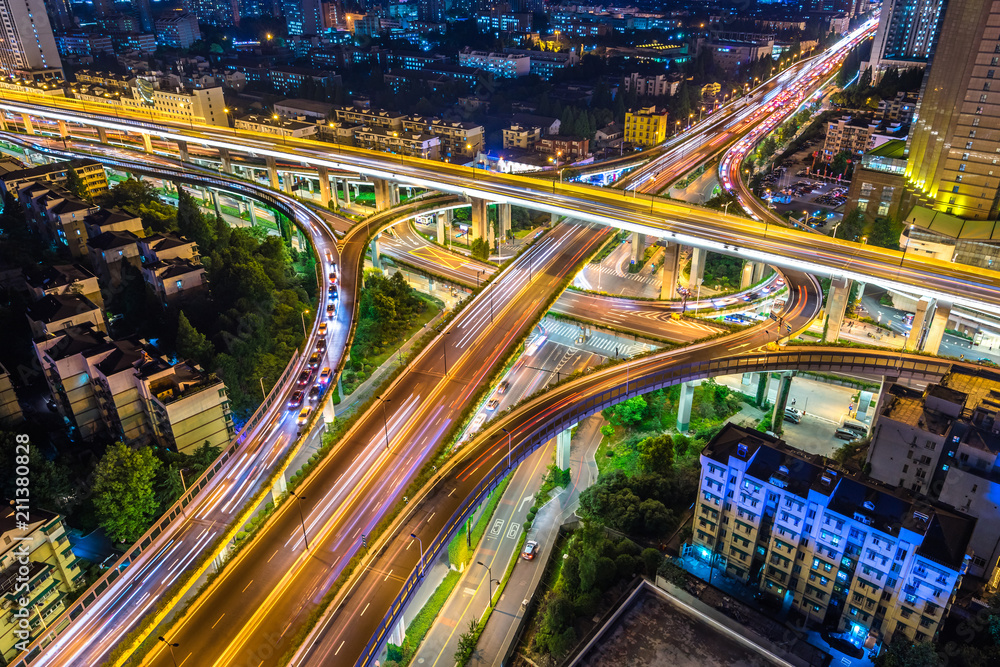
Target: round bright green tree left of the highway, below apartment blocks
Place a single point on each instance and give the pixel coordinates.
(124, 497)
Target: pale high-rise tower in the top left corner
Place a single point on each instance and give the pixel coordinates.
(26, 39)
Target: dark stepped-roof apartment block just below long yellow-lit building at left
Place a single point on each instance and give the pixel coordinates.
(56, 215)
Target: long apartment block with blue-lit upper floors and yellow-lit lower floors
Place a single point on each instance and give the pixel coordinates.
(842, 550)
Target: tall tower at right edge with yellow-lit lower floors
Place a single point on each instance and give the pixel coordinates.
(953, 146)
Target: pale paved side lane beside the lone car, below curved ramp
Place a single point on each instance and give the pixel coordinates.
(503, 627)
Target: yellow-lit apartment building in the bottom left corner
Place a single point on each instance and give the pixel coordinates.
(53, 573)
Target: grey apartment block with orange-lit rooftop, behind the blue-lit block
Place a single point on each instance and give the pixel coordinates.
(944, 442)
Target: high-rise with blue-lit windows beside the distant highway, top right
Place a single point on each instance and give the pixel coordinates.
(907, 33)
